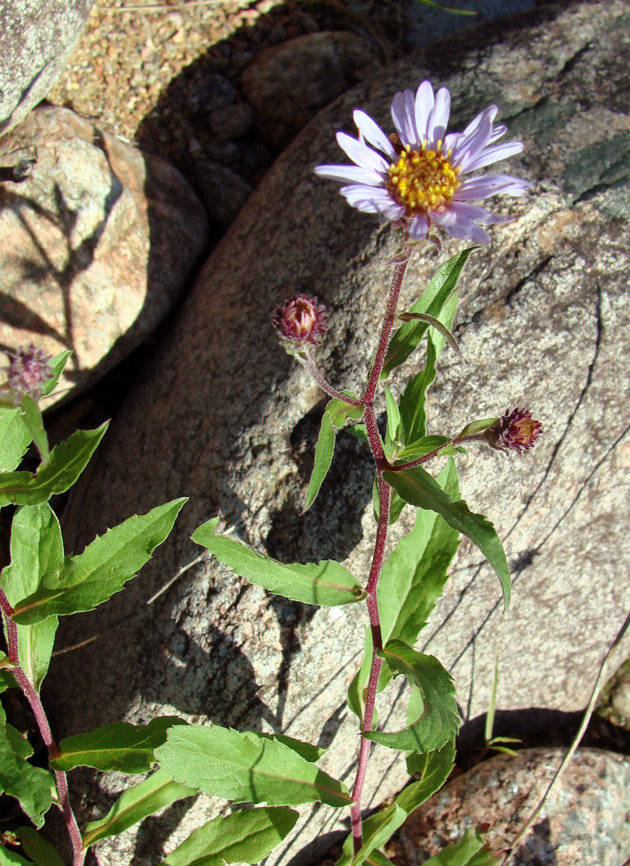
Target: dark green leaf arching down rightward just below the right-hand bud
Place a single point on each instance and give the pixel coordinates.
(419, 488)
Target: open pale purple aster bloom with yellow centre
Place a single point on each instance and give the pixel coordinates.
(420, 180)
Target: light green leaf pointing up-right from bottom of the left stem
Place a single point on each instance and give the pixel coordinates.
(135, 804)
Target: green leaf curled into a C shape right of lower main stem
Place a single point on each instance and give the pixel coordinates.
(439, 721)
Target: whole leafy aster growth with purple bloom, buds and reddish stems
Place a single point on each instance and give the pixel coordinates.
(419, 177)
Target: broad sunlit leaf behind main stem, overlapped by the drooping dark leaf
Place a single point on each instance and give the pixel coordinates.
(414, 575)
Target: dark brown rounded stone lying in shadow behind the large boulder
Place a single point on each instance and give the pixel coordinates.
(288, 83)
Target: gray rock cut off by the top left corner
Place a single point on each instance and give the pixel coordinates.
(36, 39)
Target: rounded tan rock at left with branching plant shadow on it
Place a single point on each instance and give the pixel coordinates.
(95, 244)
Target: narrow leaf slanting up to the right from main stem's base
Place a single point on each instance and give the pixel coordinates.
(379, 828)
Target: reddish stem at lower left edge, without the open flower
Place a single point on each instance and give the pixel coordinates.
(45, 732)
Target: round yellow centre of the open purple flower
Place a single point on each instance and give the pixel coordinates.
(423, 179)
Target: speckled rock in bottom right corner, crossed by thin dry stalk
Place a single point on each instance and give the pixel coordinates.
(585, 819)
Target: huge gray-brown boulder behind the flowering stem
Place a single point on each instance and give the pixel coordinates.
(226, 418)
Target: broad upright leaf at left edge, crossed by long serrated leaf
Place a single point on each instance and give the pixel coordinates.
(36, 553)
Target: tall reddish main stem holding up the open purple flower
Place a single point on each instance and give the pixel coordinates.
(378, 556)
